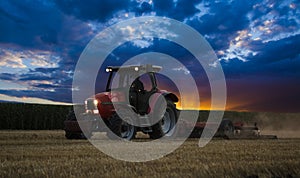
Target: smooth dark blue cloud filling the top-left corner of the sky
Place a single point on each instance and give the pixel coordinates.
(40, 25)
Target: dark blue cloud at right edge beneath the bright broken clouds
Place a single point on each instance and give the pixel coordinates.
(270, 62)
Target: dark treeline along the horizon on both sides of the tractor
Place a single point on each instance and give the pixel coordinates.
(22, 116)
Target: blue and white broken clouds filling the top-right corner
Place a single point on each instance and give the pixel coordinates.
(235, 28)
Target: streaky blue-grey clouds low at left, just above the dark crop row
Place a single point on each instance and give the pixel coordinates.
(57, 81)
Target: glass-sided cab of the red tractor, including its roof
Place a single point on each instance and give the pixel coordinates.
(135, 83)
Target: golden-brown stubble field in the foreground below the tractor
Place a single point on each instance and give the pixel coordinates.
(49, 154)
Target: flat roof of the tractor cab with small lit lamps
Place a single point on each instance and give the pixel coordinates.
(134, 68)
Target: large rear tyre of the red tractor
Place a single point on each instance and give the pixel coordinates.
(166, 126)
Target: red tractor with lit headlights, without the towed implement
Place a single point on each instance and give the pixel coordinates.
(132, 102)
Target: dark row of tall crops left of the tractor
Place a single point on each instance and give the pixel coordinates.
(32, 116)
